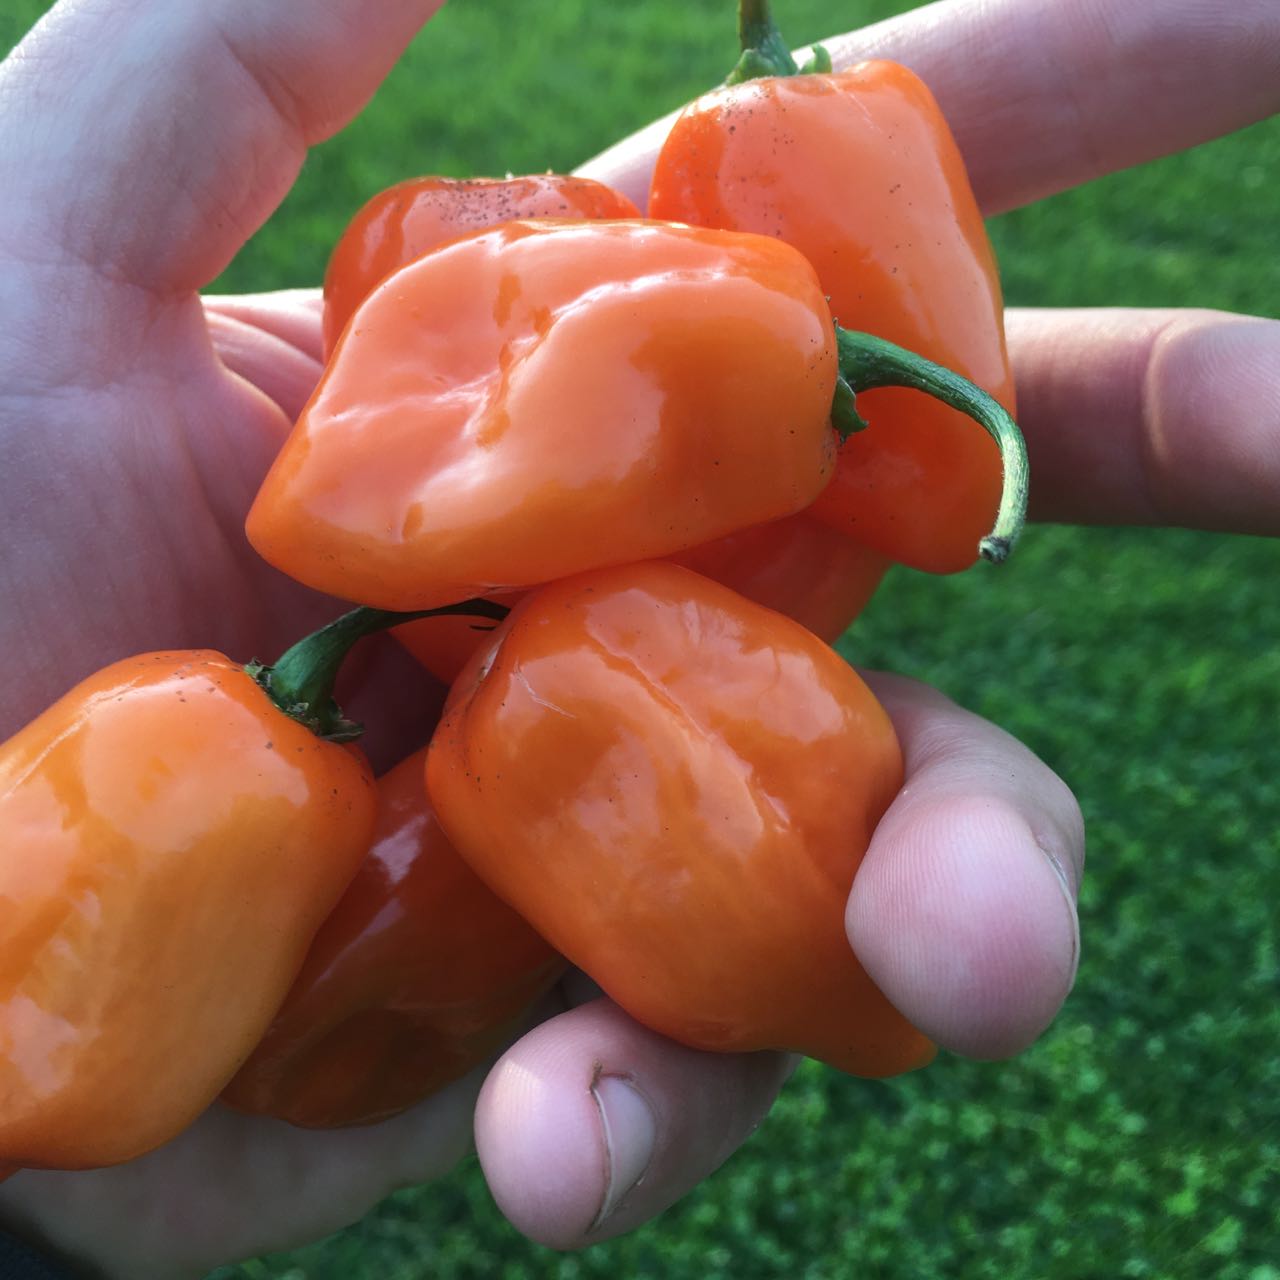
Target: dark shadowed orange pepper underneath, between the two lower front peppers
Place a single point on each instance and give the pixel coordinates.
(418, 976)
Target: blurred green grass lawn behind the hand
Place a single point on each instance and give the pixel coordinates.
(1141, 1136)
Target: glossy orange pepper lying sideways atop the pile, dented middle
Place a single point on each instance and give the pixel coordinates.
(550, 397)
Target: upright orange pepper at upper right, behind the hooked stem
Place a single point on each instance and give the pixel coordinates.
(860, 171)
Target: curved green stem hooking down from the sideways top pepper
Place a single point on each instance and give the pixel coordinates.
(867, 363)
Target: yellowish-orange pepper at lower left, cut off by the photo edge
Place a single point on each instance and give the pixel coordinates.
(172, 844)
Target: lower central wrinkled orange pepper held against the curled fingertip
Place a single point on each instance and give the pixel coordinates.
(675, 788)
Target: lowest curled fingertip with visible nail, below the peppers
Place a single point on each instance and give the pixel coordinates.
(592, 1124)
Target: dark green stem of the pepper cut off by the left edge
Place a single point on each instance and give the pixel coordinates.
(301, 682)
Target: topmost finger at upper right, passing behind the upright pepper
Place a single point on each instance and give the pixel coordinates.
(1044, 95)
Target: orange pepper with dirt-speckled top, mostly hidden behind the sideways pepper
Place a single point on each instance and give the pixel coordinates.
(406, 221)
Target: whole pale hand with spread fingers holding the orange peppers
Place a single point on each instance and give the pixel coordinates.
(135, 426)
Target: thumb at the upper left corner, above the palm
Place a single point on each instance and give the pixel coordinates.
(180, 126)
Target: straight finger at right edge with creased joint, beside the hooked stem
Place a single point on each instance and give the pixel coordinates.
(1159, 418)
